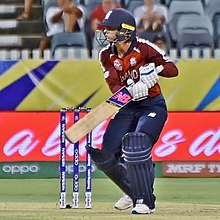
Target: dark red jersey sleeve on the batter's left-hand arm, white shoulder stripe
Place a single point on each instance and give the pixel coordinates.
(109, 71)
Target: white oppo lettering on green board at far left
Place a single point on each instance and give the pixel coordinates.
(20, 169)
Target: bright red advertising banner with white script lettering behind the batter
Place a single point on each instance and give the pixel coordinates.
(34, 136)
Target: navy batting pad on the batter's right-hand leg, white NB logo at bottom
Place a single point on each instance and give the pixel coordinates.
(137, 154)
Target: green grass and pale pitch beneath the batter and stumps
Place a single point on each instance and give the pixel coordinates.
(177, 199)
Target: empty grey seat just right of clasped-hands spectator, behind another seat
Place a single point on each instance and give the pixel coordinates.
(178, 8)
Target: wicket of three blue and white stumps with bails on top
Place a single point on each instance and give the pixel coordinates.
(76, 174)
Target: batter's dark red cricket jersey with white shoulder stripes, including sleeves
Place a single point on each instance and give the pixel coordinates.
(117, 70)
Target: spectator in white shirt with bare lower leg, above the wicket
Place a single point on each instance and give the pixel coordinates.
(64, 17)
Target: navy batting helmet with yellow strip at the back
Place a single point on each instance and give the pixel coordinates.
(123, 21)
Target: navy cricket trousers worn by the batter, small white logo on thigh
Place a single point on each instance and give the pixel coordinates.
(147, 116)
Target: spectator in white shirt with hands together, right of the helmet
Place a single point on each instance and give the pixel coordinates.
(150, 16)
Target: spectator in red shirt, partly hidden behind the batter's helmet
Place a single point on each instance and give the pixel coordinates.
(99, 12)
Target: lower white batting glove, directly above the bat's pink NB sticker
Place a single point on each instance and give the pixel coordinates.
(138, 90)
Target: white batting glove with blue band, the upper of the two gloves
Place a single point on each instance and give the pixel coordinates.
(149, 74)
